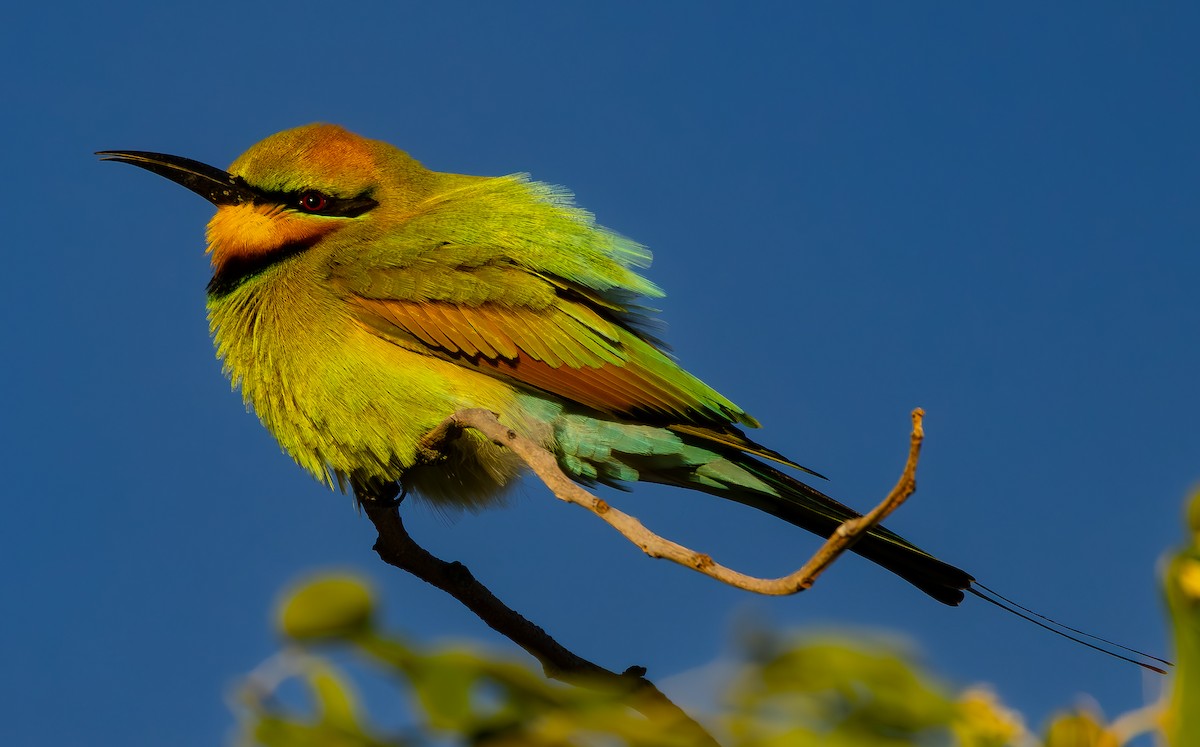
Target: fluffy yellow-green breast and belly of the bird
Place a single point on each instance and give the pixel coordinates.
(341, 401)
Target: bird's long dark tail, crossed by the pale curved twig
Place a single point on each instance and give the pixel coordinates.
(782, 495)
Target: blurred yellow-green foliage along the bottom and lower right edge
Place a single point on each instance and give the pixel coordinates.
(784, 691)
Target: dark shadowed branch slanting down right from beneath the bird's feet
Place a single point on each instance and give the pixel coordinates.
(398, 548)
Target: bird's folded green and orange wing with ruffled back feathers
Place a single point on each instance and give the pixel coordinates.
(532, 292)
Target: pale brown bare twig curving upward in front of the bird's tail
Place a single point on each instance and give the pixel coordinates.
(545, 467)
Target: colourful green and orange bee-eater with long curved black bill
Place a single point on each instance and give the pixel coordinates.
(359, 300)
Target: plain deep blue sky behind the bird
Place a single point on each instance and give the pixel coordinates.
(856, 210)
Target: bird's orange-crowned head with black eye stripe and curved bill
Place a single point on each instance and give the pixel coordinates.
(292, 190)
